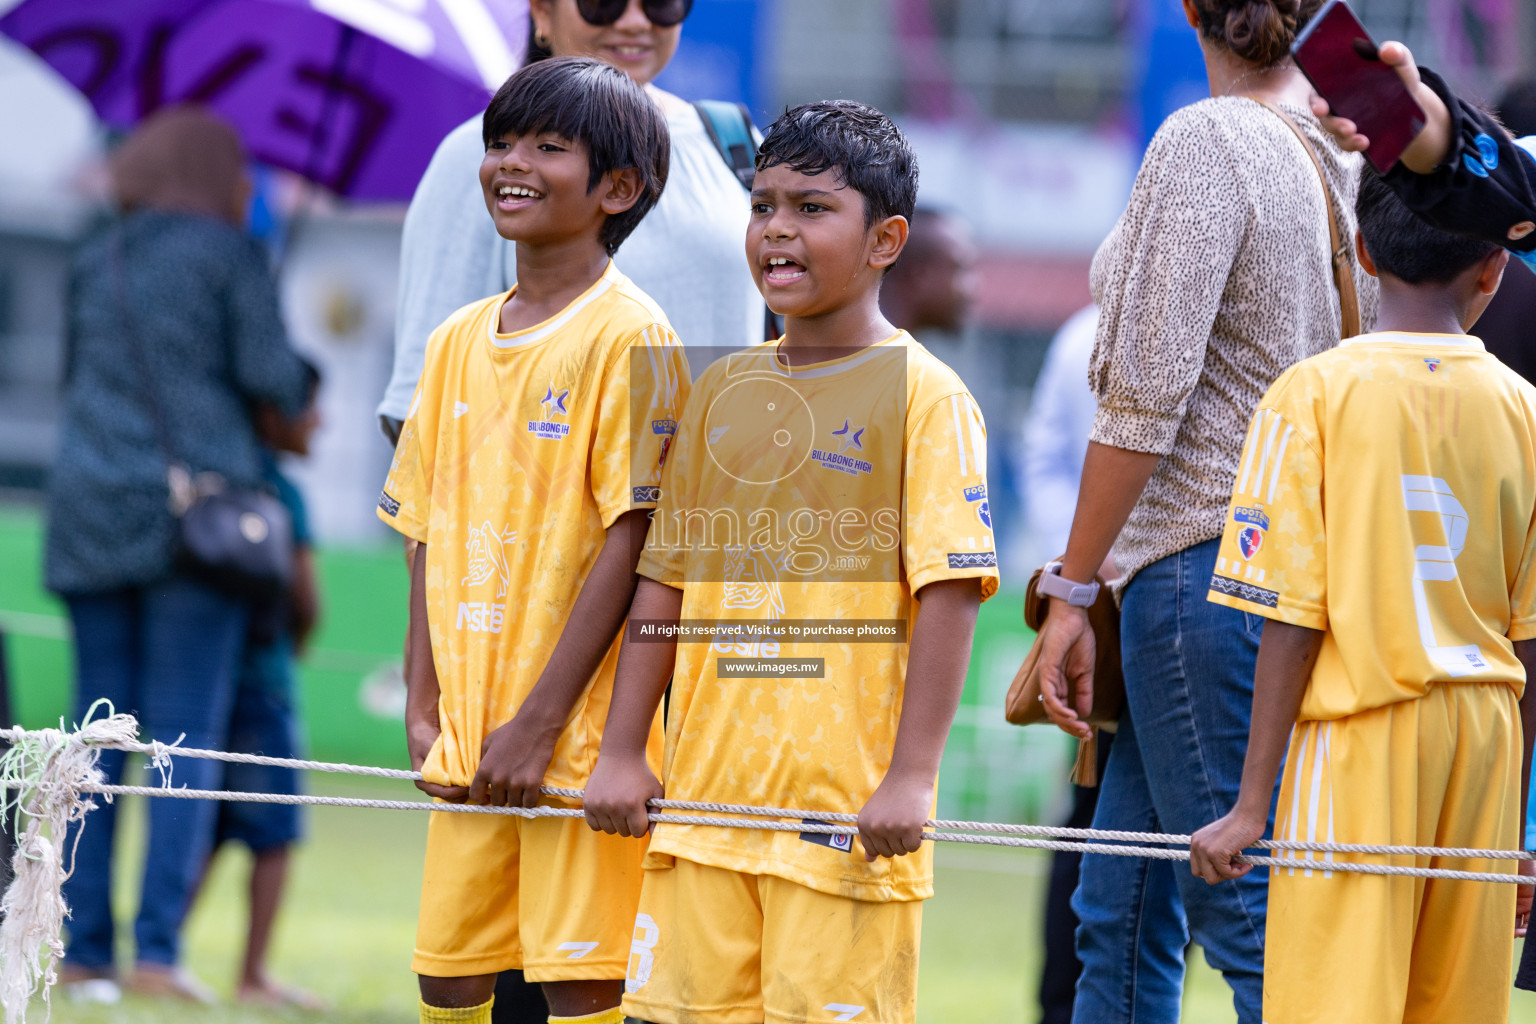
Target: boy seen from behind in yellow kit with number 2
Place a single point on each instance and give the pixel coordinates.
(1385, 523)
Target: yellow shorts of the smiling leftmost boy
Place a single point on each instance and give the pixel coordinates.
(548, 896)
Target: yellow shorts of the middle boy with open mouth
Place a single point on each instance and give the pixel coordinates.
(715, 946)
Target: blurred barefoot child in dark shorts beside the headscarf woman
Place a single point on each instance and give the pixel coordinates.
(266, 719)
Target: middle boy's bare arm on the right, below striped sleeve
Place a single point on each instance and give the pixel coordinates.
(892, 824)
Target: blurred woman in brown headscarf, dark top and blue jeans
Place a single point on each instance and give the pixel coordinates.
(173, 314)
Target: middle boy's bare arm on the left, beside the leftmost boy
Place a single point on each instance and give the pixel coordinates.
(623, 782)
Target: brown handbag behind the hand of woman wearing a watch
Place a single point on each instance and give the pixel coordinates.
(1024, 705)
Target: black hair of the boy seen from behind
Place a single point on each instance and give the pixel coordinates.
(1408, 248)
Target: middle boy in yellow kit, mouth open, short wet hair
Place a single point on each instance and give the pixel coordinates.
(824, 535)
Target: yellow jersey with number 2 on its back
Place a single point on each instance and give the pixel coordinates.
(1386, 495)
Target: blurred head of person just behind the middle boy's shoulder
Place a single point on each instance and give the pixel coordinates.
(933, 285)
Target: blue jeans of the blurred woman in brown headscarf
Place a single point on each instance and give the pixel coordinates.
(168, 655)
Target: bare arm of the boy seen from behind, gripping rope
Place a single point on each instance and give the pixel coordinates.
(1280, 681)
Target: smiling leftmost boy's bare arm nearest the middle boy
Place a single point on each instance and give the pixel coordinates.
(515, 756)
